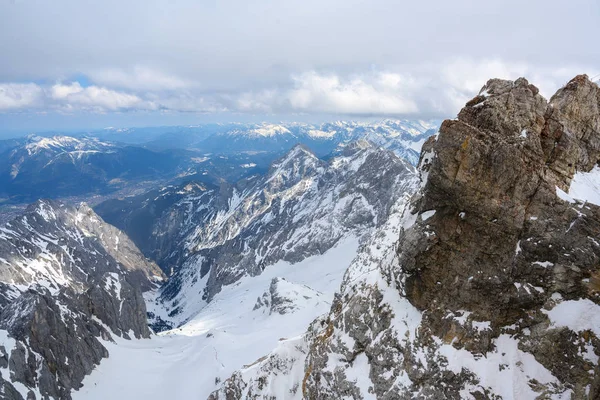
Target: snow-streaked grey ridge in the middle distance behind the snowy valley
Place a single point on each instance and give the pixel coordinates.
(210, 237)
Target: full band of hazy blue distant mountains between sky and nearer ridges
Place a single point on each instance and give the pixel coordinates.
(114, 160)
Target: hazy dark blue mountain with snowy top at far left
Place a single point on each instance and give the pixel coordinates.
(58, 166)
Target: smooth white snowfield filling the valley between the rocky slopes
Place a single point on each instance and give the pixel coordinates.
(186, 363)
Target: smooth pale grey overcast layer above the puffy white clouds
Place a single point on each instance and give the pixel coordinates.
(237, 43)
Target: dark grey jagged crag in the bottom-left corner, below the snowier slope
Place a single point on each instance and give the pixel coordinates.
(54, 342)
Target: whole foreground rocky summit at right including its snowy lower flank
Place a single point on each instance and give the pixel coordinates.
(485, 285)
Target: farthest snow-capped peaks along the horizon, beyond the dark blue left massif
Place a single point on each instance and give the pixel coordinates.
(402, 136)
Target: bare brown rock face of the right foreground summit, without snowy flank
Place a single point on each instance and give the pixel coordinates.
(492, 184)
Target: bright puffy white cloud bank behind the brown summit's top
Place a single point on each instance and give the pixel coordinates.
(438, 90)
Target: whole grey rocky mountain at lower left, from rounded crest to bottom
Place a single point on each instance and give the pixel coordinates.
(68, 279)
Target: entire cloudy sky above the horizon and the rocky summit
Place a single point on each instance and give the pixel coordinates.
(69, 64)
